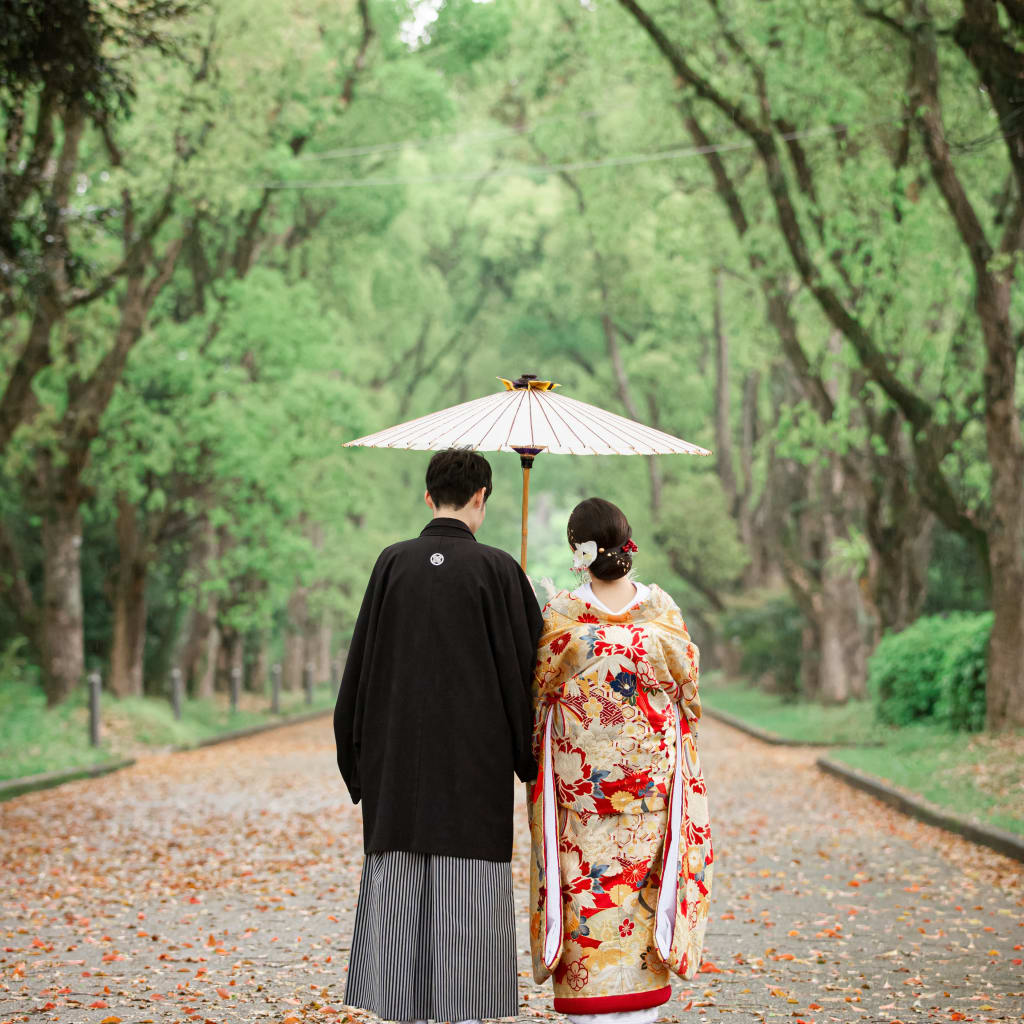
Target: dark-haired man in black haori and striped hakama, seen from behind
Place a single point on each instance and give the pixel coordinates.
(433, 719)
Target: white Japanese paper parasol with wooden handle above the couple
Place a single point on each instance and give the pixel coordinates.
(528, 417)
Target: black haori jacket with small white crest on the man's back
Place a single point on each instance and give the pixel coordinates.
(435, 713)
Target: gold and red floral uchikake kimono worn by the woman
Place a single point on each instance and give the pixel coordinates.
(621, 867)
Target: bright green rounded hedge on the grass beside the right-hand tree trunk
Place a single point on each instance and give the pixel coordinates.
(934, 671)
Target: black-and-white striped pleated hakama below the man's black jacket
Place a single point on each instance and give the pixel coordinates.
(435, 940)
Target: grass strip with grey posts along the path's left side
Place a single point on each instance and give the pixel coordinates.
(34, 739)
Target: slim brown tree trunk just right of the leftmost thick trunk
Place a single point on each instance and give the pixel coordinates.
(129, 648)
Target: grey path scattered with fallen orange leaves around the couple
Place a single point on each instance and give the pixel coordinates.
(220, 886)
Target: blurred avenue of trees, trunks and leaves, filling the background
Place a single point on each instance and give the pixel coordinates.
(235, 236)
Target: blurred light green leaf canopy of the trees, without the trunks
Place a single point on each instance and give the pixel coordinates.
(430, 247)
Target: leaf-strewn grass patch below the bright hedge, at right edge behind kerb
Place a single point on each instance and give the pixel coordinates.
(976, 776)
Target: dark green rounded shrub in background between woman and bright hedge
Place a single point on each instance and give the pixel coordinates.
(769, 629)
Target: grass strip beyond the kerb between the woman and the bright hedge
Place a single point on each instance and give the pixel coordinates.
(850, 724)
